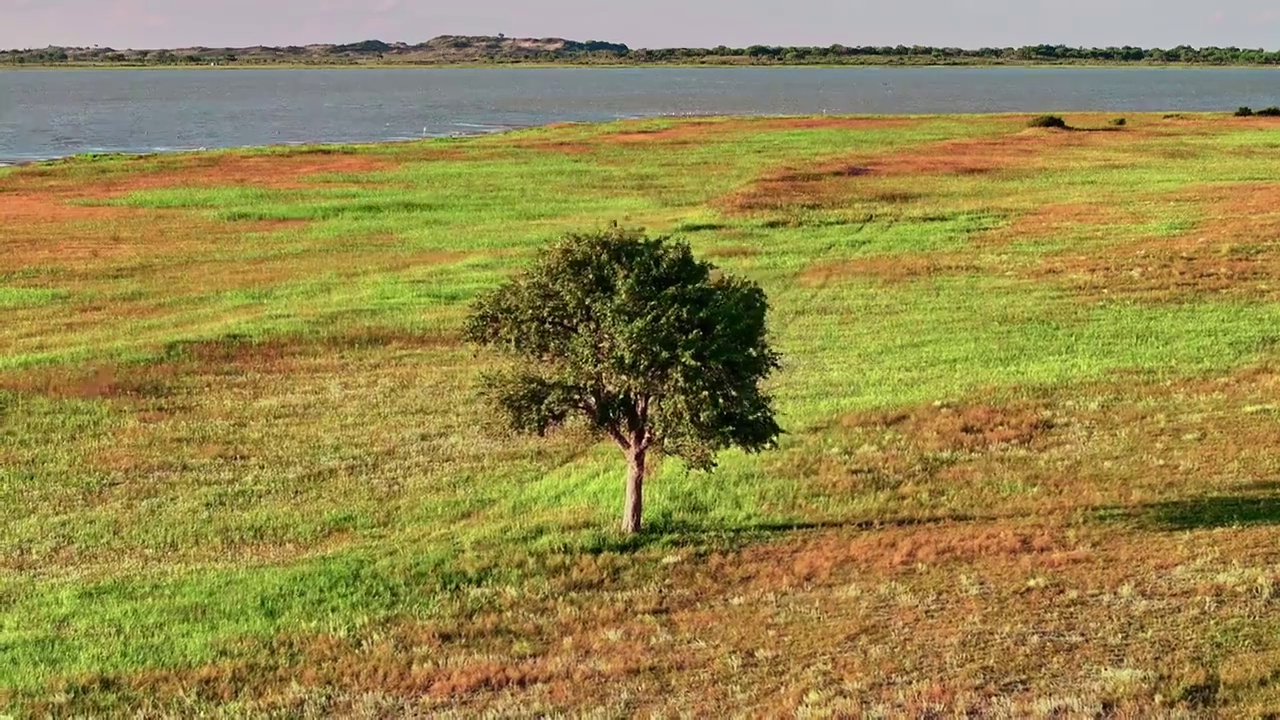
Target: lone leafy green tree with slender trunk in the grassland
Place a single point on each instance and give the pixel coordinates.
(639, 340)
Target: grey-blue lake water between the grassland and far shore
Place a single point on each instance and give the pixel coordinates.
(56, 113)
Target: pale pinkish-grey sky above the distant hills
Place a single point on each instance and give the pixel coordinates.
(644, 24)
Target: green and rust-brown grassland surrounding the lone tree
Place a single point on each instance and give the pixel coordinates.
(1031, 397)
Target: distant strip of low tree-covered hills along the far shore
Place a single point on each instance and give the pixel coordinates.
(459, 51)
